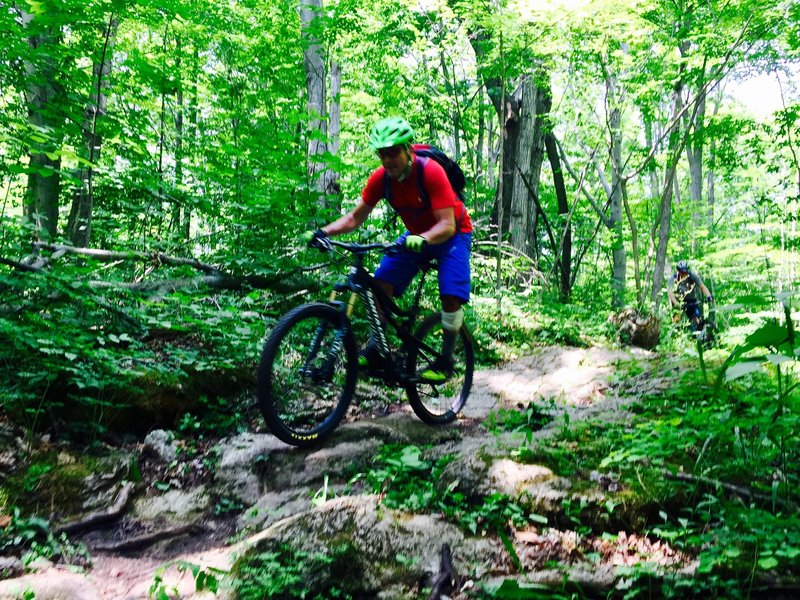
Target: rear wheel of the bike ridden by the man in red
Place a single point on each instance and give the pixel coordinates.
(439, 403)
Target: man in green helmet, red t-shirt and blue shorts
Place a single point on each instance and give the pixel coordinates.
(440, 229)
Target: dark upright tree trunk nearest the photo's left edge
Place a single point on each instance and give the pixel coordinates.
(43, 95)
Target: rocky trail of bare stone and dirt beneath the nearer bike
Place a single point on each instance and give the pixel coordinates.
(261, 493)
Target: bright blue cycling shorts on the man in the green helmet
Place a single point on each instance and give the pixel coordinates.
(452, 256)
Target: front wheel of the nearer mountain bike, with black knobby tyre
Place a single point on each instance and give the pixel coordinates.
(307, 375)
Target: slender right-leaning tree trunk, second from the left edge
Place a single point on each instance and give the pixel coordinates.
(79, 224)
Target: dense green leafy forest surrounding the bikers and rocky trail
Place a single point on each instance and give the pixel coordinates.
(161, 159)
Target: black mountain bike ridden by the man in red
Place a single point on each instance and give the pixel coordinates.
(309, 365)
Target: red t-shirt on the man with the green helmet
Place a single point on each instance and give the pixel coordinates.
(407, 200)
